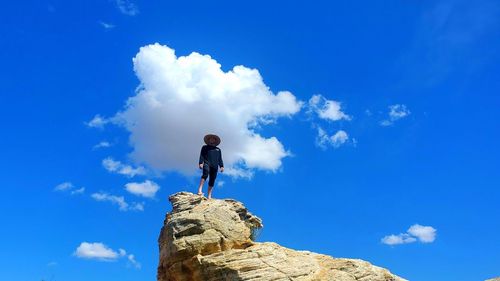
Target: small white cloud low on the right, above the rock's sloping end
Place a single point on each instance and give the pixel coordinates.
(424, 234)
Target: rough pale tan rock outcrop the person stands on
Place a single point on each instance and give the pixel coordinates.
(210, 240)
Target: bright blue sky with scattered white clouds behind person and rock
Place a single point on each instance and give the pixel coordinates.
(391, 121)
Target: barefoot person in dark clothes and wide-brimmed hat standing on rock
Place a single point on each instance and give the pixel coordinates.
(210, 161)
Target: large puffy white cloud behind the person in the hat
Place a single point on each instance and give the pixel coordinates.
(180, 99)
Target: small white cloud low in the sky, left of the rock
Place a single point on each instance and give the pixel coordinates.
(101, 252)
